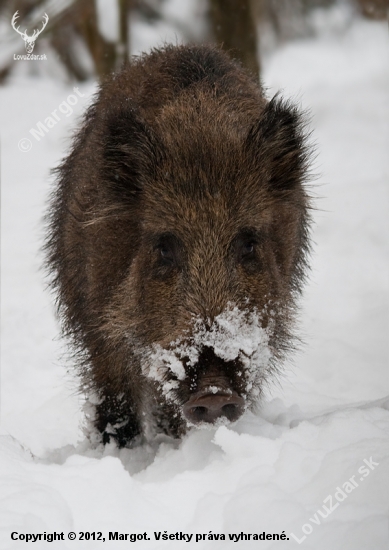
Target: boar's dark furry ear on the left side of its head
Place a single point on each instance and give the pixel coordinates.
(131, 152)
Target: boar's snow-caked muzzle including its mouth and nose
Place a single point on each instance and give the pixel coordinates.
(213, 373)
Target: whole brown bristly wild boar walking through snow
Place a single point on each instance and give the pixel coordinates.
(177, 242)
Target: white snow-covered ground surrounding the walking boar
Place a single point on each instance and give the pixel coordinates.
(328, 423)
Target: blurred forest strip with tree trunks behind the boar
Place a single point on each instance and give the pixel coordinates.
(90, 38)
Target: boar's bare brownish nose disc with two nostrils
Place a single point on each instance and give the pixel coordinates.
(209, 407)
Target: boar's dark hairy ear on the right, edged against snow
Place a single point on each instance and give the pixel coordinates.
(277, 142)
